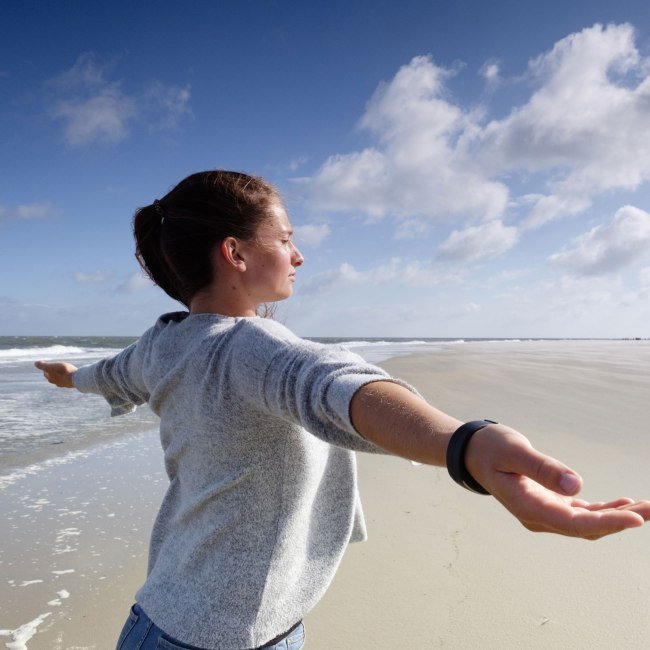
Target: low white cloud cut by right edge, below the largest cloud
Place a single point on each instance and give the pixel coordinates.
(606, 249)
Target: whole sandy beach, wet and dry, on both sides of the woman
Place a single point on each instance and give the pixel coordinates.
(442, 567)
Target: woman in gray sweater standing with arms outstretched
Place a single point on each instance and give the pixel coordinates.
(259, 430)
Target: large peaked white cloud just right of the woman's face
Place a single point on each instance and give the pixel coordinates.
(419, 166)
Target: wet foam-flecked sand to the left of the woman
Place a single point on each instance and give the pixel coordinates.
(75, 544)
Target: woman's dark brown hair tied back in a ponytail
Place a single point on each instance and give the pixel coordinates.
(175, 237)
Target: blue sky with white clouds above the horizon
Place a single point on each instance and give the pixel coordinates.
(451, 169)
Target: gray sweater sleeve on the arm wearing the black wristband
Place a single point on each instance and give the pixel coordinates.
(312, 385)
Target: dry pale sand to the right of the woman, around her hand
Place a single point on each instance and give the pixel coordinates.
(447, 568)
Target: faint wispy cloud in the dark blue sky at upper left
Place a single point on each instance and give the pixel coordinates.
(97, 110)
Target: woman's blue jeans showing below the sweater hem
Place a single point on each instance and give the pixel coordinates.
(140, 633)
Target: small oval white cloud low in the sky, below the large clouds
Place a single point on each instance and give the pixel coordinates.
(478, 242)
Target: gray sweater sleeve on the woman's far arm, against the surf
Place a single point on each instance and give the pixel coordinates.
(118, 379)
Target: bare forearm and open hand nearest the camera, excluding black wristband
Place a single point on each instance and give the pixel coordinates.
(537, 489)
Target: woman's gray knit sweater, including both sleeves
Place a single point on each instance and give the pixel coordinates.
(258, 443)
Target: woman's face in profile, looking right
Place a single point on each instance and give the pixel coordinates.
(272, 259)
